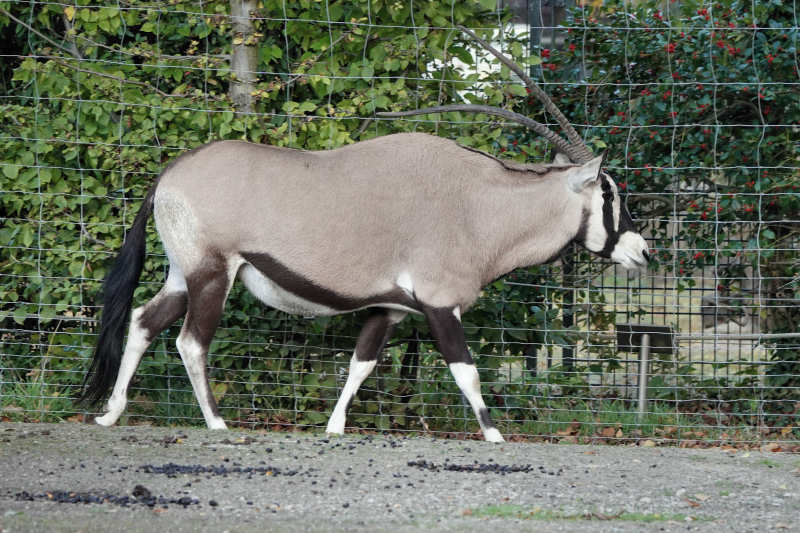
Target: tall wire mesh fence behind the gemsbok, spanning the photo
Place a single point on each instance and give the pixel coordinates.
(696, 104)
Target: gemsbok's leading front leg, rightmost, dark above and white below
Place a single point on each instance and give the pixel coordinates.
(448, 332)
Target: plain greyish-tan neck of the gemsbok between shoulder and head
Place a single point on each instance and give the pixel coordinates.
(528, 224)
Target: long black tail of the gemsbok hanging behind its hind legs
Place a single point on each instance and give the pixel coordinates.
(117, 299)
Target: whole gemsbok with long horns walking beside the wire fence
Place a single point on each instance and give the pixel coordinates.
(405, 223)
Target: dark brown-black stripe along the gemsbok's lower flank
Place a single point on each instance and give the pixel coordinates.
(308, 290)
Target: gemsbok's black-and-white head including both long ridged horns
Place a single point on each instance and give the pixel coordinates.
(607, 227)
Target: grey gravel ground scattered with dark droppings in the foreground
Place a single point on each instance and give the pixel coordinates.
(72, 477)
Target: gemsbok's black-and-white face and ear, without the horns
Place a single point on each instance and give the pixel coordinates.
(607, 228)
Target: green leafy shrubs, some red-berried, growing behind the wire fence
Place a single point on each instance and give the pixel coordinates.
(697, 107)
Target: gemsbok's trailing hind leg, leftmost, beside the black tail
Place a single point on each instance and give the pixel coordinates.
(147, 322)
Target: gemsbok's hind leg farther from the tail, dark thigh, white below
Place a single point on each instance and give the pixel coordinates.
(207, 293)
